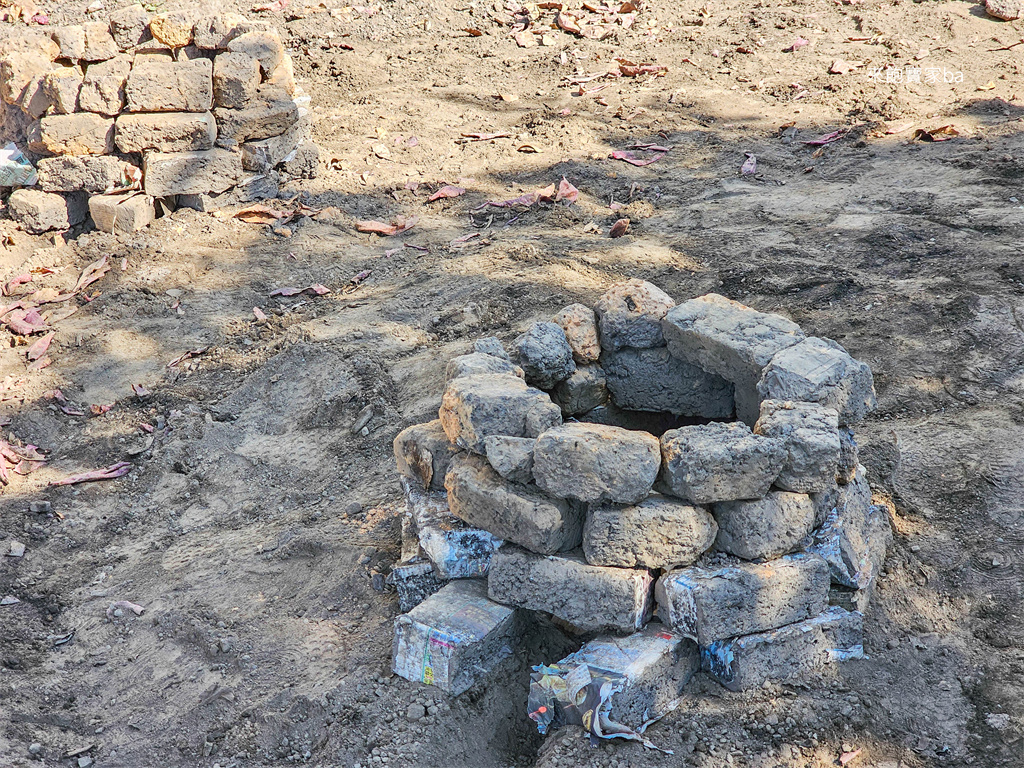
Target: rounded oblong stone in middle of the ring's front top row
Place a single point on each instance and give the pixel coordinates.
(593, 462)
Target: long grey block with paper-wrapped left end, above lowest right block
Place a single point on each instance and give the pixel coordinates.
(710, 605)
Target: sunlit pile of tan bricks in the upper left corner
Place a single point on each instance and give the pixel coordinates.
(127, 118)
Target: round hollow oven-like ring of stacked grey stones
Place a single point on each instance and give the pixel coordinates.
(695, 461)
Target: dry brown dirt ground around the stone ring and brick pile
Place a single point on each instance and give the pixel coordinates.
(254, 522)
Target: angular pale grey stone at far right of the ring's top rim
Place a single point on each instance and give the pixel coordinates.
(821, 371)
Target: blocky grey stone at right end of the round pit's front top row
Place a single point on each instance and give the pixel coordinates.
(809, 434)
